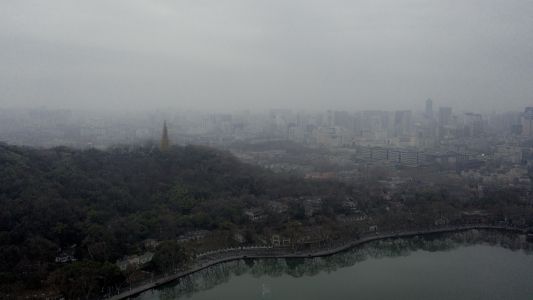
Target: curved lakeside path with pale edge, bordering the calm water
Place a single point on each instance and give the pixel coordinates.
(282, 253)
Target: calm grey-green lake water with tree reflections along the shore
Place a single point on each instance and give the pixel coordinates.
(468, 265)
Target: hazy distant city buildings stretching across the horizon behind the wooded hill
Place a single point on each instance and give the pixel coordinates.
(398, 138)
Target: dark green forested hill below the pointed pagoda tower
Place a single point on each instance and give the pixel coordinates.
(106, 202)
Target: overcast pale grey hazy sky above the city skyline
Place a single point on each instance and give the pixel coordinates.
(248, 54)
